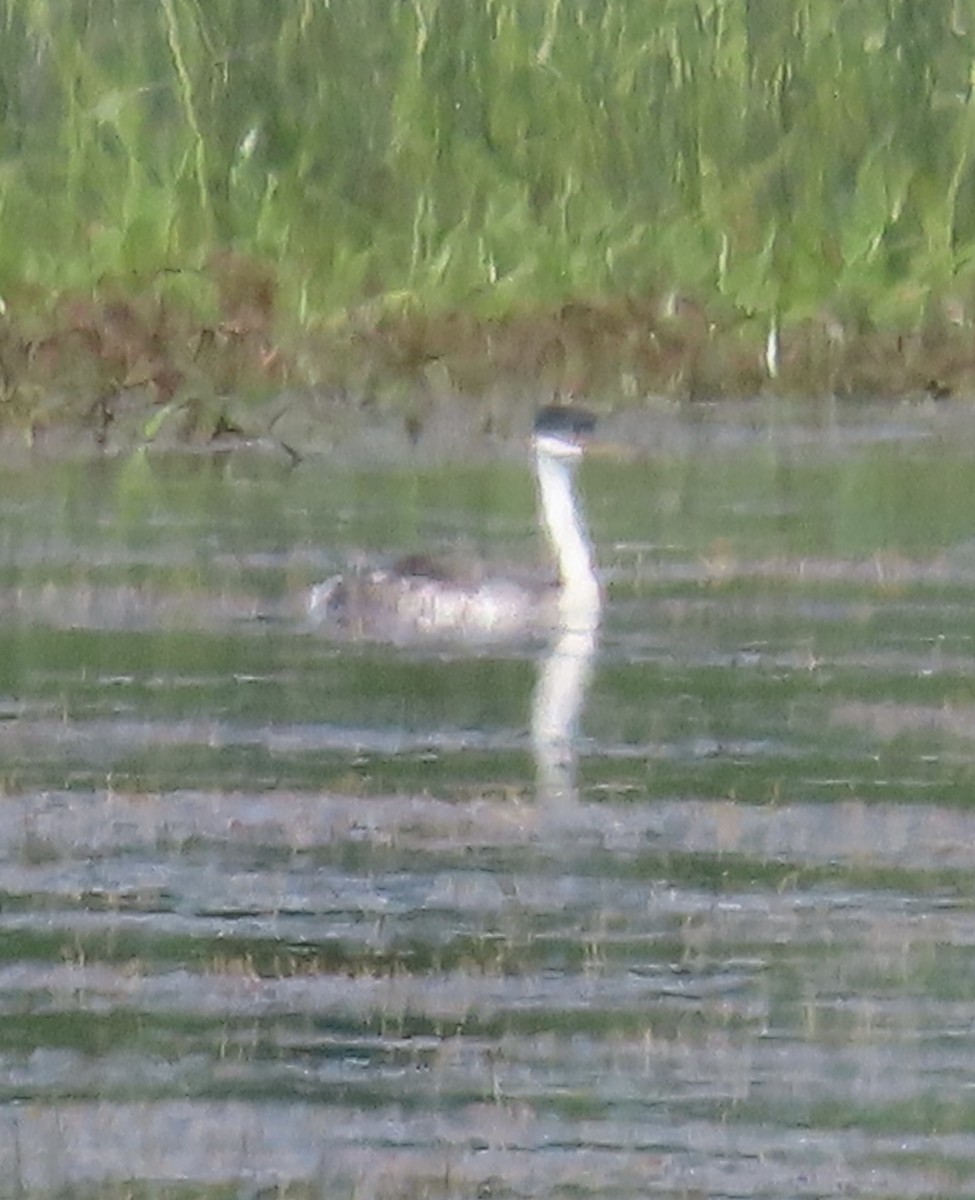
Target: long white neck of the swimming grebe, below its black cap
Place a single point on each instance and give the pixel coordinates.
(567, 536)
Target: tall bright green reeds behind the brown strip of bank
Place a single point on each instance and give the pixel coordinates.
(781, 164)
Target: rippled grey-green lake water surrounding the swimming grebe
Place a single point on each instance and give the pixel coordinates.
(286, 916)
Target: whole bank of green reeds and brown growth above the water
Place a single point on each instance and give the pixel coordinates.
(207, 202)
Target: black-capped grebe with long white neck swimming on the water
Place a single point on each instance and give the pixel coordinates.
(415, 599)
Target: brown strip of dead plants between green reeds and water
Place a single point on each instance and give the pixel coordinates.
(134, 369)
